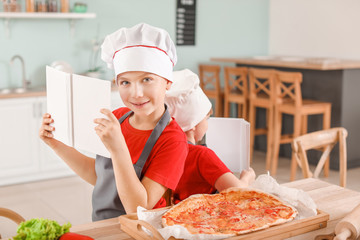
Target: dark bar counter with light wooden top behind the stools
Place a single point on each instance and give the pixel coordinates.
(331, 80)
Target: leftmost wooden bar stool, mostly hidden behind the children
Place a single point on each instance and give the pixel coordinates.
(210, 84)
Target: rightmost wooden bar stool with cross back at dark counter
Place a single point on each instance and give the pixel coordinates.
(288, 100)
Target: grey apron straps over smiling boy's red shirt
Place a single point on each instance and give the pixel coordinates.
(154, 136)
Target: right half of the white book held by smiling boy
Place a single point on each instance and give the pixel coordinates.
(89, 96)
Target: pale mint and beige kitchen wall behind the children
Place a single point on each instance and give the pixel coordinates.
(229, 28)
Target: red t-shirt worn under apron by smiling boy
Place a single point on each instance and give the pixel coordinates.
(165, 163)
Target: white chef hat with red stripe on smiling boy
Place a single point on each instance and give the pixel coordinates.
(140, 48)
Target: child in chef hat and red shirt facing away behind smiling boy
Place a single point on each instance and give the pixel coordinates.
(204, 172)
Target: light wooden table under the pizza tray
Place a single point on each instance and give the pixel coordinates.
(335, 200)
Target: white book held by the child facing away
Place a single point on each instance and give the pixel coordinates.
(229, 138)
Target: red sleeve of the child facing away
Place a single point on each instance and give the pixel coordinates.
(210, 166)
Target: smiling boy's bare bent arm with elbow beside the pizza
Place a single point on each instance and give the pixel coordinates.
(132, 192)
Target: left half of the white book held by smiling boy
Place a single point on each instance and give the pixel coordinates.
(58, 90)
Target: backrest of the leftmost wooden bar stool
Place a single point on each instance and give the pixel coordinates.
(210, 77)
